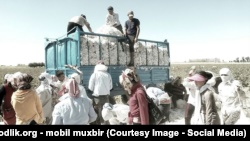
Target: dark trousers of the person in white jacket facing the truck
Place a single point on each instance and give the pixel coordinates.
(100, 101)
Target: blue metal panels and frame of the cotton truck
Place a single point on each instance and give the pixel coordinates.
(67, 51)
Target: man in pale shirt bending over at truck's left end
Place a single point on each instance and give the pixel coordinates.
(78, 21)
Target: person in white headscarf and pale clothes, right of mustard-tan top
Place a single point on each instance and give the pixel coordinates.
(44, 92)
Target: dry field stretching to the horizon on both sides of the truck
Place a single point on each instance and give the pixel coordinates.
(240, 71)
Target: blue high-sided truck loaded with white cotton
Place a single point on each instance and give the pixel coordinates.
(83, 49)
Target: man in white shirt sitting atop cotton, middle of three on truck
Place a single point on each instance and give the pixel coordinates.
(112, 19)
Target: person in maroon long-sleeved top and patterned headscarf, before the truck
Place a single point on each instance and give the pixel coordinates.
(138, 104)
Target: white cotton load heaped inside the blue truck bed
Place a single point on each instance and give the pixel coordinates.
(111, 53)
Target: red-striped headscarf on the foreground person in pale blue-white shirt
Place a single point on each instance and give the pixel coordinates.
(72, 87)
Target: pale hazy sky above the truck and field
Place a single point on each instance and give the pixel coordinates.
(194, 28)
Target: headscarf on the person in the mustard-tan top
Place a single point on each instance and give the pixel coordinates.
(23, 81)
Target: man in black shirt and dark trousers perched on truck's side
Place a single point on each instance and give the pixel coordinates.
(132, 31)
